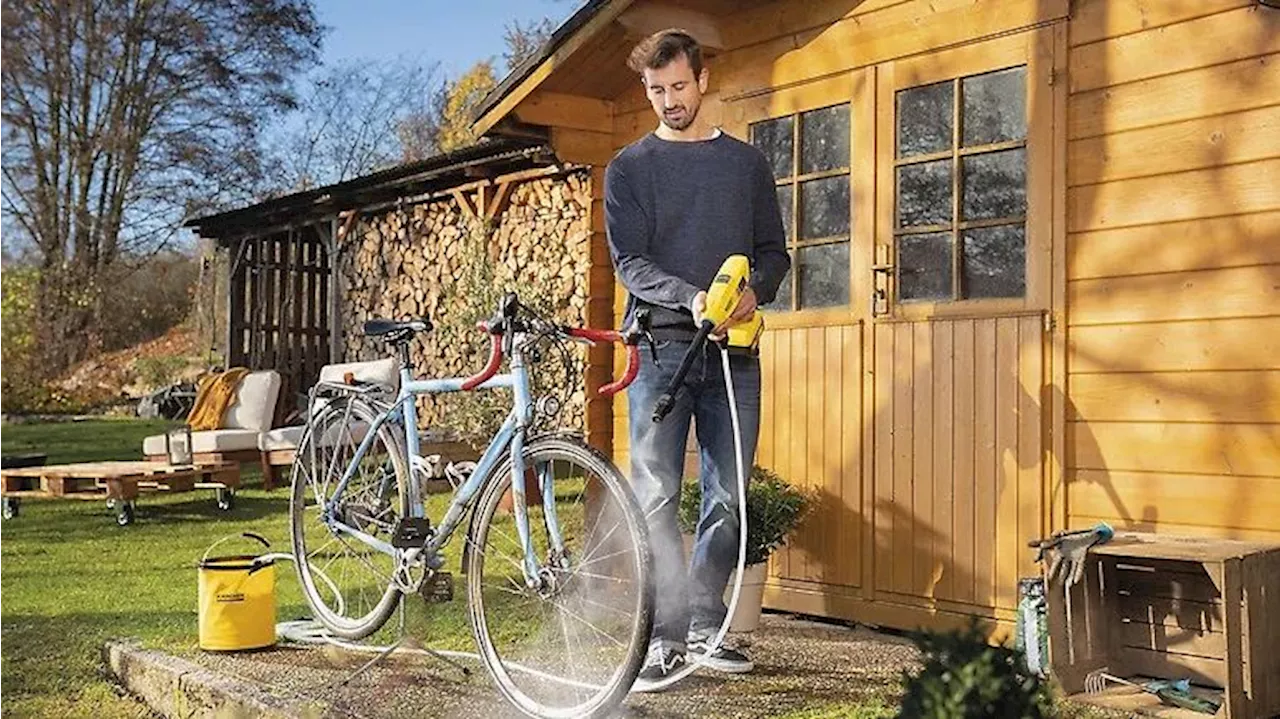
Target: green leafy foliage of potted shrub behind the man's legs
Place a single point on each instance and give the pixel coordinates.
(774, 509)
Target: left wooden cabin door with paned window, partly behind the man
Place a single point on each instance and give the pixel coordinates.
(819, 138)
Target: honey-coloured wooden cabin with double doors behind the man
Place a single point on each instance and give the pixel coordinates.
(1037, 269)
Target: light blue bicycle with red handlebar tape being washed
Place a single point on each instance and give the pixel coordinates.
(362, 538)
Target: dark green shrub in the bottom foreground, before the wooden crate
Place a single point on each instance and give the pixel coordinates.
(964, 677)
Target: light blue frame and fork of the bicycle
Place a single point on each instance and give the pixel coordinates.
(510, 438)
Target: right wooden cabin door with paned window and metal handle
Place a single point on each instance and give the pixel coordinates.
(961, 306)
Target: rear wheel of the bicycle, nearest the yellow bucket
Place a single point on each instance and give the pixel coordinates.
(348, 583)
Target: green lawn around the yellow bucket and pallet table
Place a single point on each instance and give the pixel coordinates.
(71, 579)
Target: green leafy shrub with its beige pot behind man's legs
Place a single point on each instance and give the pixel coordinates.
(774, 510)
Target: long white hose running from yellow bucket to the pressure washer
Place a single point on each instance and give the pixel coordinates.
(310, 631)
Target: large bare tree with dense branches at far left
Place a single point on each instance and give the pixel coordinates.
(118, 117)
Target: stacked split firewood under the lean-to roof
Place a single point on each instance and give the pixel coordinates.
(417, 262)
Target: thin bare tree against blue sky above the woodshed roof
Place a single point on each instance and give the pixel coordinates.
(355, 118)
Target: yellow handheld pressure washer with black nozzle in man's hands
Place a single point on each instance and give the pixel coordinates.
(723, 299)
